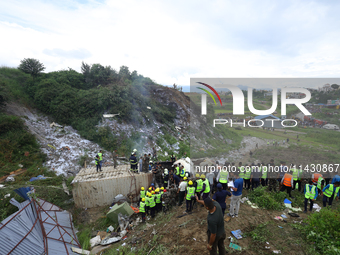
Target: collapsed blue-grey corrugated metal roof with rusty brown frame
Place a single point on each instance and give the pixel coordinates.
(39, 227)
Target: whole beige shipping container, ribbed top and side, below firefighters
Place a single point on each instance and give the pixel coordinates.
(93, 189)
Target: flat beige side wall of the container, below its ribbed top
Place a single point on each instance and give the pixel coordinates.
(101, 192)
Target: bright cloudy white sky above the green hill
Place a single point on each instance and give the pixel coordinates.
(172, 41)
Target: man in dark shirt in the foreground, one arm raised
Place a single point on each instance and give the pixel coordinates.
(216, 232)
